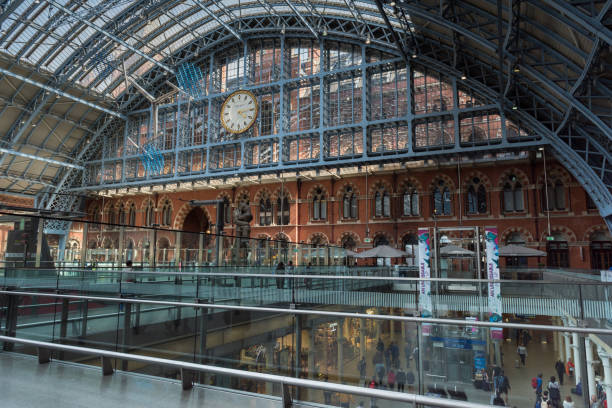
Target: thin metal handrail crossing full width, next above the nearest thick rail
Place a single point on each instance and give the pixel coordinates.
(418, 320)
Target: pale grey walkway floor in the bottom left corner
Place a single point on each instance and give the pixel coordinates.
(24, 383)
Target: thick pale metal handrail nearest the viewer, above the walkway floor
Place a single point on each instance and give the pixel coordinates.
(283, 380)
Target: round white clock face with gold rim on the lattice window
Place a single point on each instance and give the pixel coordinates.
(239, 111)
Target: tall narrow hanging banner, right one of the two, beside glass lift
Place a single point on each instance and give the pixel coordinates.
(494, 297)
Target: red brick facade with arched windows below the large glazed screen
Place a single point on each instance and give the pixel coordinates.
(575, 223)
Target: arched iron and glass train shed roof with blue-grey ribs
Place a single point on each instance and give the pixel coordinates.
(544, 64)
